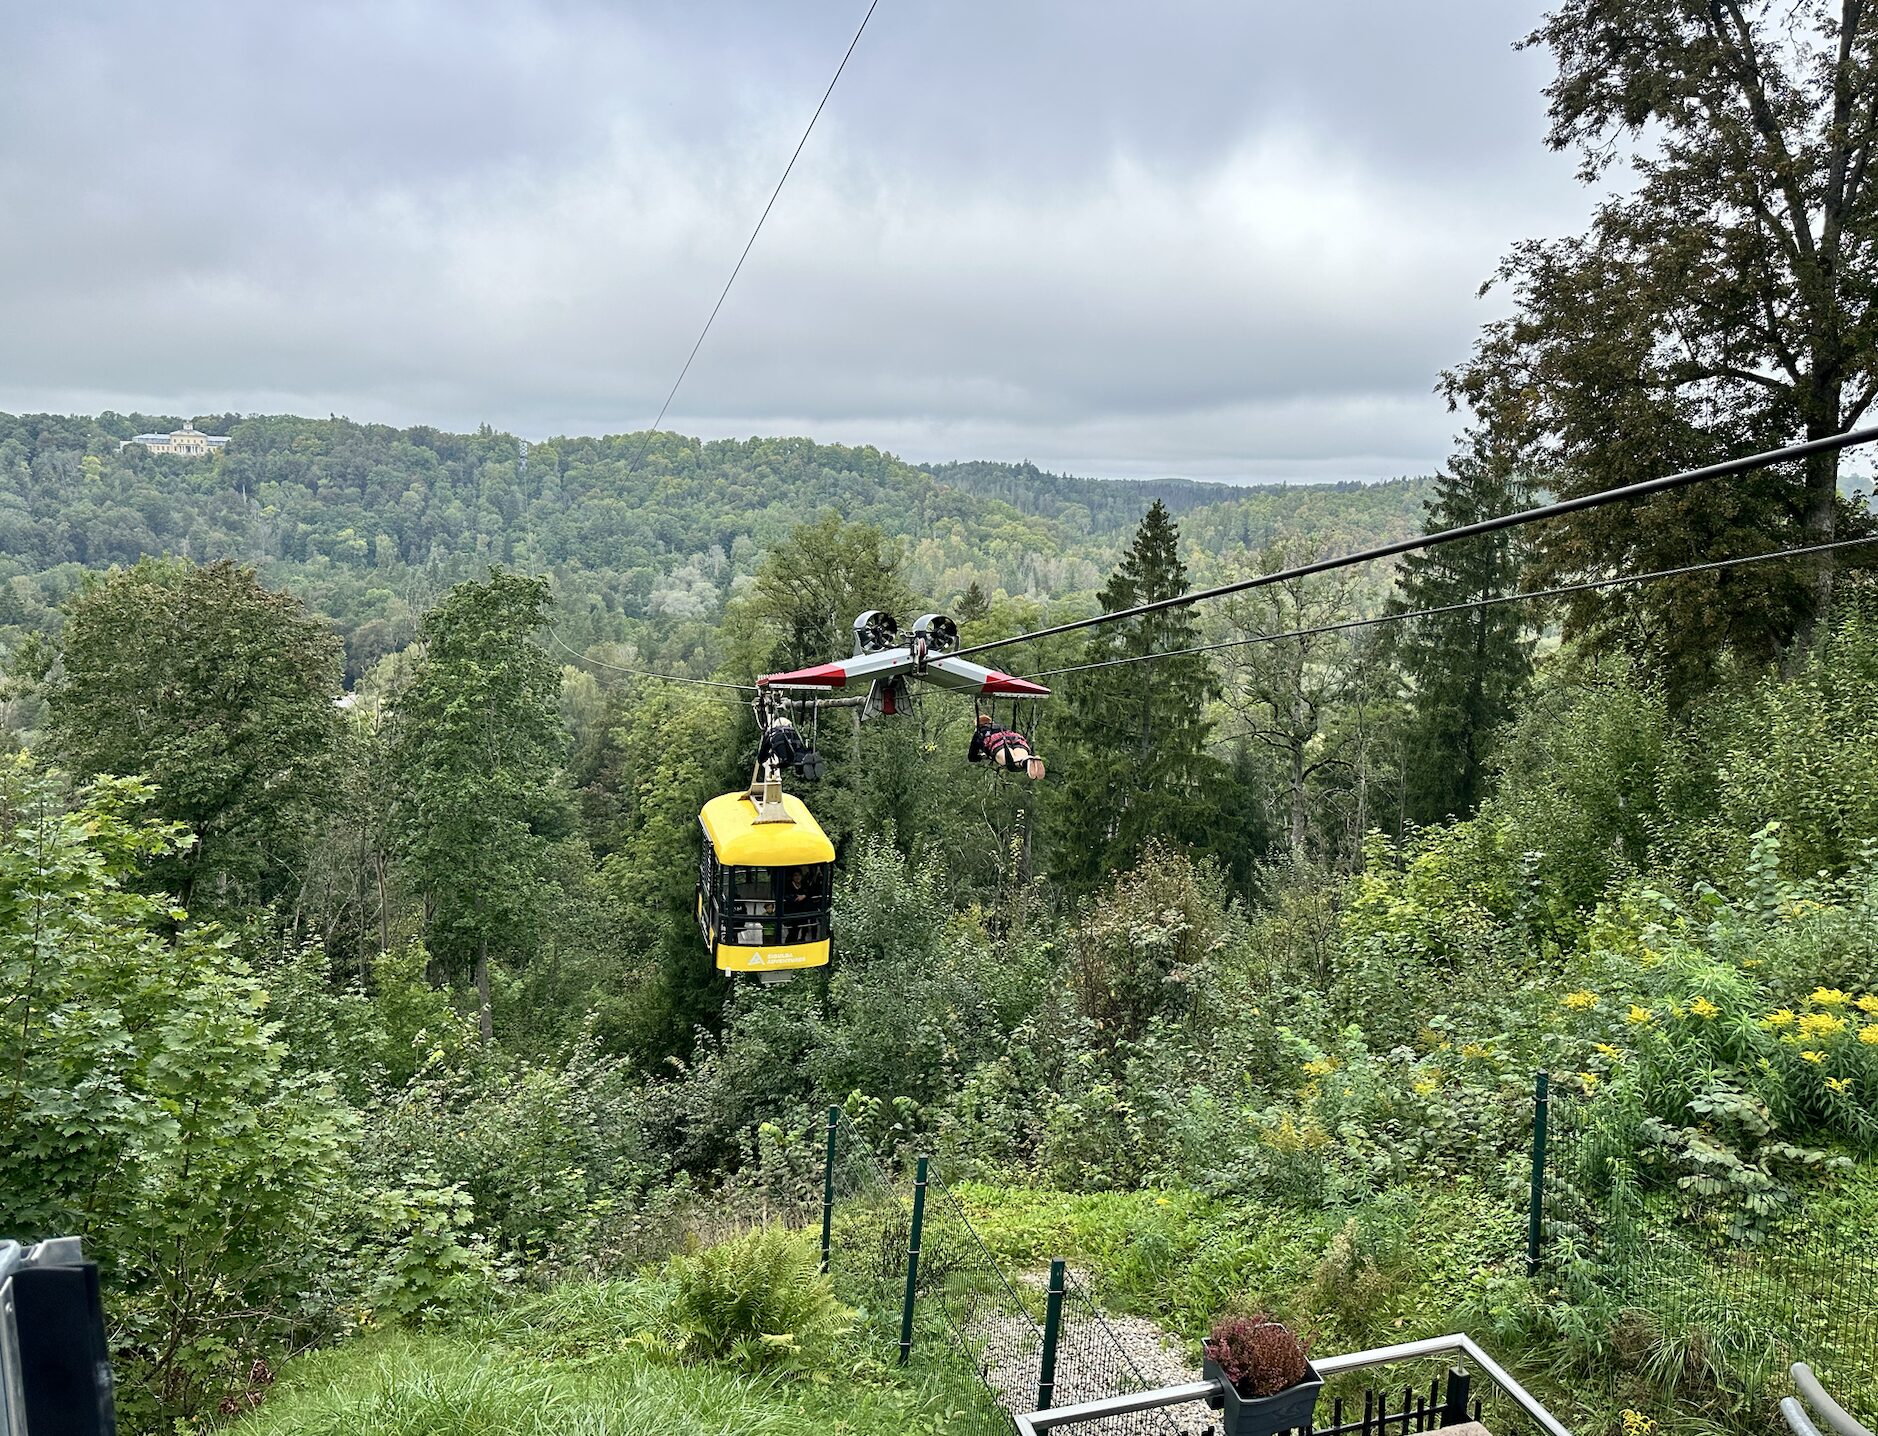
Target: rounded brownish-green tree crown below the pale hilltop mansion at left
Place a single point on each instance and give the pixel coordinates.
(219, 692)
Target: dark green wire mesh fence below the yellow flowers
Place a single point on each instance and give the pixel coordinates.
(1716, 1283)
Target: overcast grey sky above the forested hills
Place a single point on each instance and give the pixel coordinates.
(1231, 241)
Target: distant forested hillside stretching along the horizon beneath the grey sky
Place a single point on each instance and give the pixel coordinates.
(369, 523)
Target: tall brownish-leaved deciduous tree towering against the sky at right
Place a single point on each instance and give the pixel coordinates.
(1719, 305)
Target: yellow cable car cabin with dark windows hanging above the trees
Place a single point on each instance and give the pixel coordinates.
(765, 883)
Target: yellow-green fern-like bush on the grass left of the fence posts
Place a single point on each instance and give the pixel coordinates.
(756, 1302)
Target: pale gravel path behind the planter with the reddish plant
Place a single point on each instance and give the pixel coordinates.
(1090, 1366)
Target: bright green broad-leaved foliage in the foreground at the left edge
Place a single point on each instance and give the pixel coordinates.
(147, 1105)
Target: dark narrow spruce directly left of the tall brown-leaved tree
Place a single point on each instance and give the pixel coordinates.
(1464, 669)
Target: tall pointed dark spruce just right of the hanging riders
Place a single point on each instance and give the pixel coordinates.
(1137, 765)
